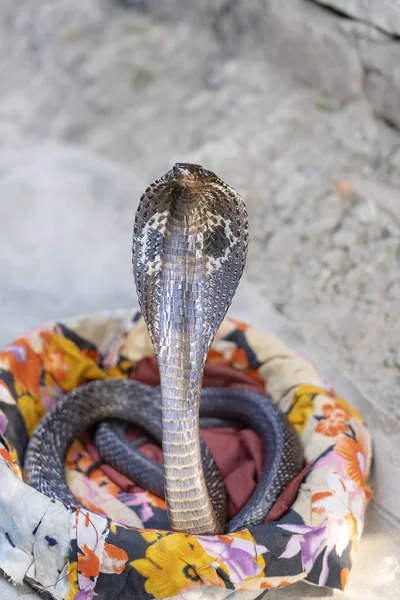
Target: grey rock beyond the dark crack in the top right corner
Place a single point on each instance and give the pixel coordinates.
(384, 14)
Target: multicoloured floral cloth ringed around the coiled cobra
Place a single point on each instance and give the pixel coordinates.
(105, 552)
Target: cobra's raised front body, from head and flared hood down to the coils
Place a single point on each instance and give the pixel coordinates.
(189, 250)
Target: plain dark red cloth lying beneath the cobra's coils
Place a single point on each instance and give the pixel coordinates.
(239, 454)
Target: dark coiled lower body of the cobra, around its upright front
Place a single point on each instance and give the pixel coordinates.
(139, 404)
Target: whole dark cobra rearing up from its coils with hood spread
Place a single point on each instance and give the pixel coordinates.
(190, 242)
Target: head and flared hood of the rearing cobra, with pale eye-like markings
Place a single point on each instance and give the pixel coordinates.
(189, 248)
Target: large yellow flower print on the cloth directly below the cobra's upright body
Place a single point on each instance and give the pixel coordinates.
(172, 564)
